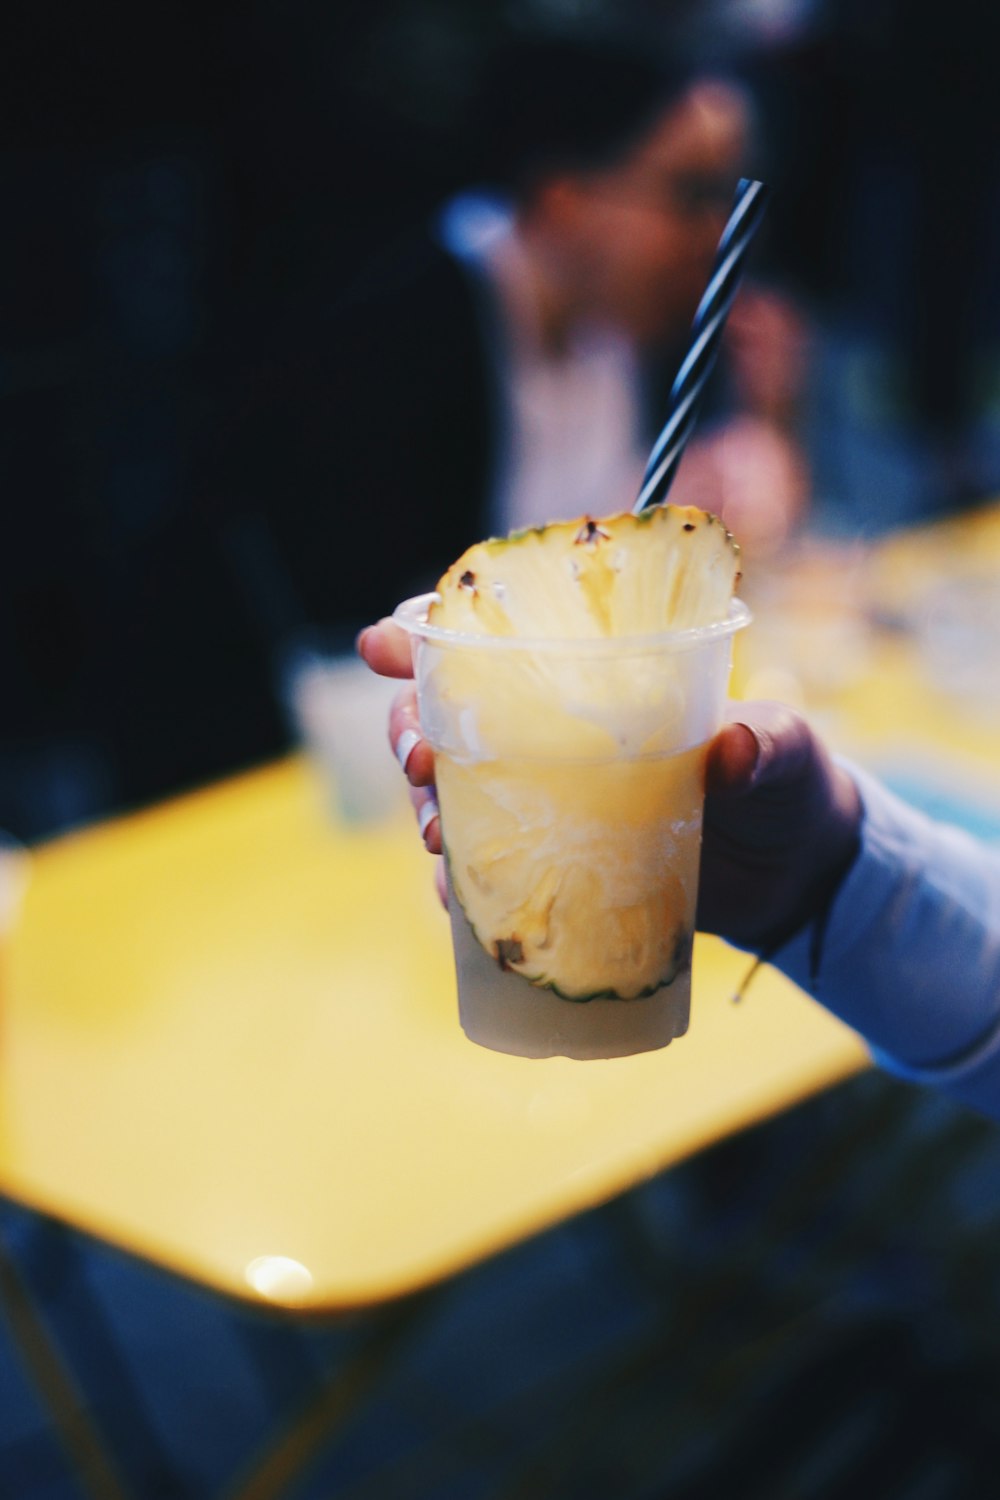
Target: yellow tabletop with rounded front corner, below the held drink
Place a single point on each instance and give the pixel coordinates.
(230, 1045)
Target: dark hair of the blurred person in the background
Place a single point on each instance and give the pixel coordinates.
(570, 103)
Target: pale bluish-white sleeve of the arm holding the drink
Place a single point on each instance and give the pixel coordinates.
(911, 950)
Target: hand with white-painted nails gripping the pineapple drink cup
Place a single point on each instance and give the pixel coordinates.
(782, 820)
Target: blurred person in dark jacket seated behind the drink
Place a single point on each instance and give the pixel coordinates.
(510, 365)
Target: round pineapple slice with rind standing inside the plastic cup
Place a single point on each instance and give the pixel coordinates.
(570, 799)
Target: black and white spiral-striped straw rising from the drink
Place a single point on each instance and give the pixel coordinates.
(707, 334)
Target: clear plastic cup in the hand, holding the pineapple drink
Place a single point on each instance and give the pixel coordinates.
(596, 748)
